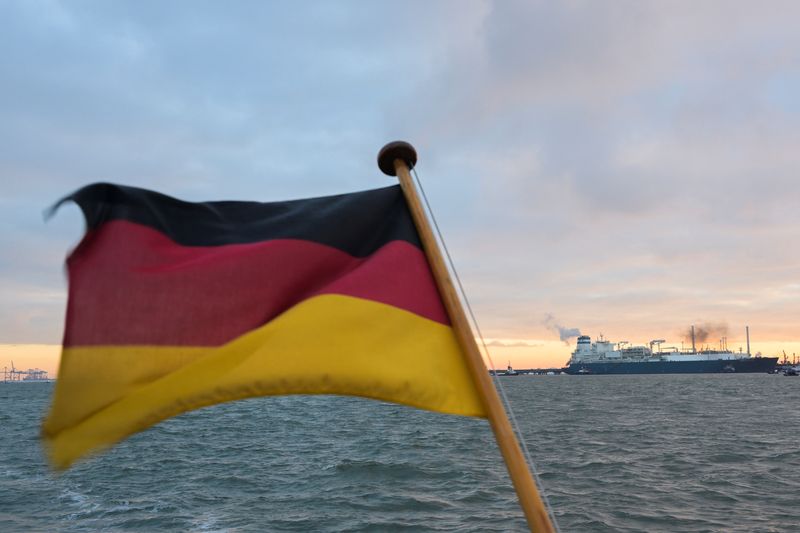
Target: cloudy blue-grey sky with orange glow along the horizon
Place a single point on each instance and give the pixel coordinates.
(627, 168)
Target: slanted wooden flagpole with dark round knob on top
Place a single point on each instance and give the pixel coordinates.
(396, 159)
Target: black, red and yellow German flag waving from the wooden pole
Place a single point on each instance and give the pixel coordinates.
(176, 305)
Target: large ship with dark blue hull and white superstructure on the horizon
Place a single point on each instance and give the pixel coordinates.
(606, 357)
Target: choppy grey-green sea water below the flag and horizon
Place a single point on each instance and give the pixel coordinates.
(614, 453)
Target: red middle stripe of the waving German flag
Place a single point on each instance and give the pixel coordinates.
(131, 285)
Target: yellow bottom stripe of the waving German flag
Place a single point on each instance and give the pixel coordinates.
(329, 344)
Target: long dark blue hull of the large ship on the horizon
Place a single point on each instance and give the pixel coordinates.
(717, 366)
